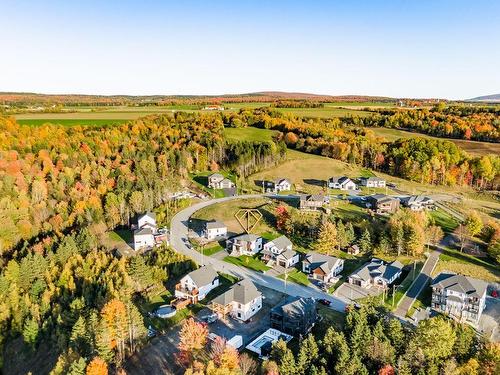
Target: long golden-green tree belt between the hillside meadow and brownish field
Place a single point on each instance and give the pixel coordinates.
(423, 160)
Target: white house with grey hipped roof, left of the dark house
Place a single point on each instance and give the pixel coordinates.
(242, 301)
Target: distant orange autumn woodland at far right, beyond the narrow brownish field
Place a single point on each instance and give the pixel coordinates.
(461, 122)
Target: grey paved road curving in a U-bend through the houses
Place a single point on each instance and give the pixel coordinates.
(179, 241)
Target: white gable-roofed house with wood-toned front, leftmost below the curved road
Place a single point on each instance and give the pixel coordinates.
(197, 284)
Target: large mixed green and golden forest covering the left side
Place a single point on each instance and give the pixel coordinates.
(61, 189)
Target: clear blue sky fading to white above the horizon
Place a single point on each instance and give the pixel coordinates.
(448, 49)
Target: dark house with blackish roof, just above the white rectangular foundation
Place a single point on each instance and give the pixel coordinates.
(295, 315)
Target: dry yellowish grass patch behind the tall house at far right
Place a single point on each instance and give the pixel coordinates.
(468, 265)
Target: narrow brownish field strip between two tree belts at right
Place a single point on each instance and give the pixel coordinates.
(472, 147)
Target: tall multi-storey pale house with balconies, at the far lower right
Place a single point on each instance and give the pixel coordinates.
(461, 297)
